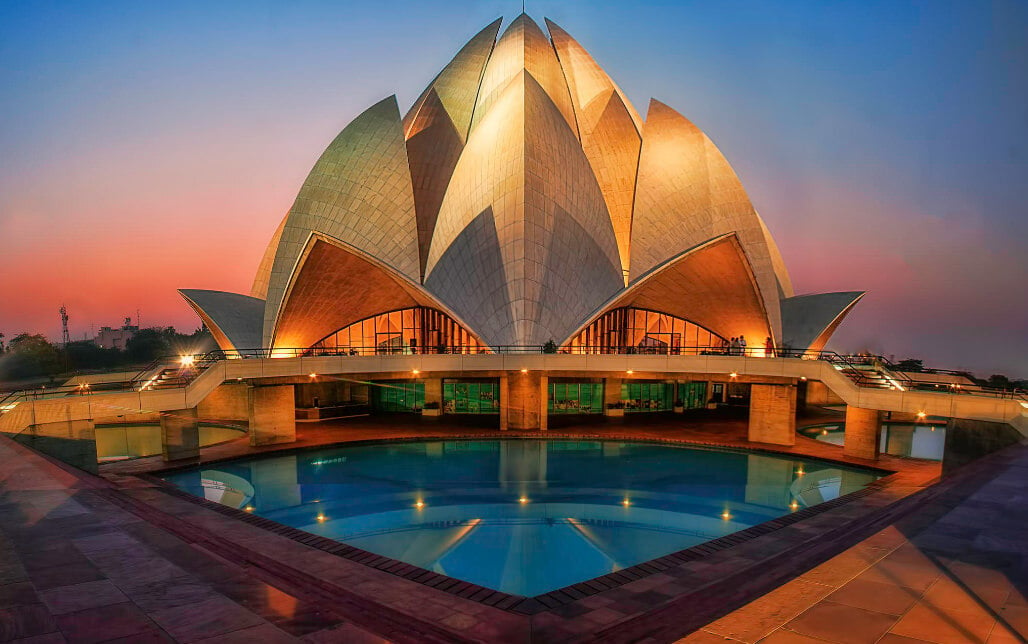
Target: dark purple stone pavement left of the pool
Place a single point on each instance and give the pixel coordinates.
(76, 568)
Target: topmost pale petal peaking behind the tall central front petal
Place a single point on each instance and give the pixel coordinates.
(524, 48)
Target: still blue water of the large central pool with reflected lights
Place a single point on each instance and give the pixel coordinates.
(523, 517)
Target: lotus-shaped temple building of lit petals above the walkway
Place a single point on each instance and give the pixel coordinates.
(522, 200)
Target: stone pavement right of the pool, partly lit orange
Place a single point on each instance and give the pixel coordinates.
(956, 573)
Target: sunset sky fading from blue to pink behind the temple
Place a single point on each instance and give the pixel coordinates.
(146, 147)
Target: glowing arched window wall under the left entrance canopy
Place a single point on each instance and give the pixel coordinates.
(419, 330)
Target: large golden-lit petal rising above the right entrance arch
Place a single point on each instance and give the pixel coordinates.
(687, 194)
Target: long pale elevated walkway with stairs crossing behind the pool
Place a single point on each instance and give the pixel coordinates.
(21, 411)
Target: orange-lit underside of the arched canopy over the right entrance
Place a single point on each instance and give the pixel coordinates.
(711, 285)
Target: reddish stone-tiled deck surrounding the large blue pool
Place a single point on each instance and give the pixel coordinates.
(88, 559)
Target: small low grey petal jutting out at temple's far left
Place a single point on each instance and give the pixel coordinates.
(235, 320)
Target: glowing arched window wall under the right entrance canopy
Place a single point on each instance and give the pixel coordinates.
(640, 331)
